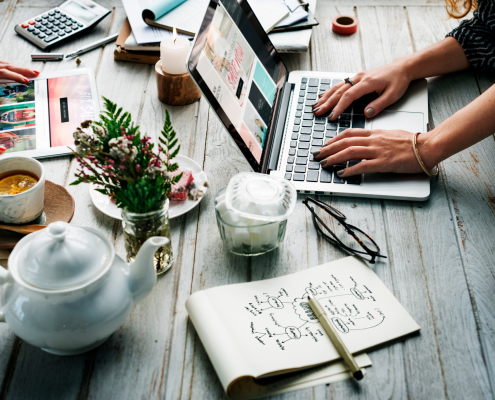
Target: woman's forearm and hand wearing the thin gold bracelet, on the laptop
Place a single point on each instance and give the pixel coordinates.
(391, 151)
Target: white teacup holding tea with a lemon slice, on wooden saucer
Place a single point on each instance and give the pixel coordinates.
(26, 206)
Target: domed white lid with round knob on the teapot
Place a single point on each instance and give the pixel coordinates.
(63, 256)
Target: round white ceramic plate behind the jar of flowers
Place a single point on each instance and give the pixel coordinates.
(177, 208)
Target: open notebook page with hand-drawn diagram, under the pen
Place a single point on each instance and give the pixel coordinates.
(273, 328)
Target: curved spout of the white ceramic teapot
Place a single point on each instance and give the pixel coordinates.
(142, 275)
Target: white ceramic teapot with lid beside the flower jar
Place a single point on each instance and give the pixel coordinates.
(65, 290)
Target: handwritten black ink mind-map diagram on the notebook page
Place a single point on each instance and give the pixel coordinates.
(279, 318)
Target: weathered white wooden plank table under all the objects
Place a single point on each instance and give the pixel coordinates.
(441, 263)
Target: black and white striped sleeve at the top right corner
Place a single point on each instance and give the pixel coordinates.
(477, 36)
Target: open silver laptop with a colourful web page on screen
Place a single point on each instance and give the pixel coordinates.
(267, 110)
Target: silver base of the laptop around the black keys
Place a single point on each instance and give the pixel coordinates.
(410, 113)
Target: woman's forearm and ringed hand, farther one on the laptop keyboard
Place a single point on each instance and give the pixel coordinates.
(392, 80)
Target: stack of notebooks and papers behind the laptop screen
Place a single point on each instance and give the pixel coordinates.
(288, 22)
